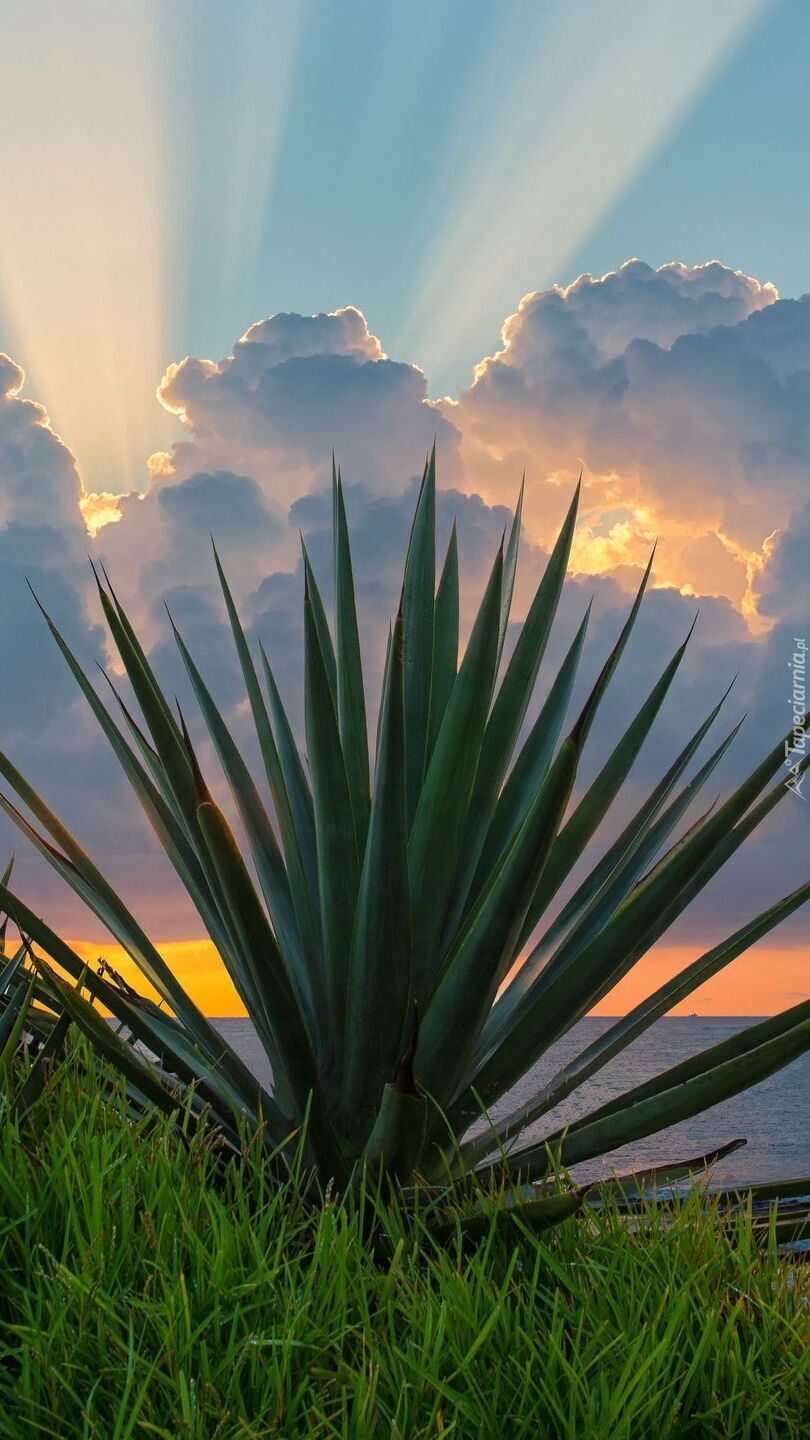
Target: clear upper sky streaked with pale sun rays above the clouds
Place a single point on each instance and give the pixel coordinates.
(190, 169)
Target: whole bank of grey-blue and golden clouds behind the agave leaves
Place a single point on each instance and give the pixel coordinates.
(681, 394)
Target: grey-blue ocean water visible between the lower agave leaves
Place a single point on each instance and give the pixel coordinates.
(775, 1117)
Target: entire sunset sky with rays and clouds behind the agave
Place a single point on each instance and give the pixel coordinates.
(237, 237)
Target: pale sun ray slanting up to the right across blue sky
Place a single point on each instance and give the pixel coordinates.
(576, 125)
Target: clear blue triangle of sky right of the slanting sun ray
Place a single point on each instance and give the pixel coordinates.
(733, 179)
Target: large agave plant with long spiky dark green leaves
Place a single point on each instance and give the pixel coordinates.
(374, 918)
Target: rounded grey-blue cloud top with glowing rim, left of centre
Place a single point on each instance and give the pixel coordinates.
(296, 388)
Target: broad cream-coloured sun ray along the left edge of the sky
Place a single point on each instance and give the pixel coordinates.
(83, 254)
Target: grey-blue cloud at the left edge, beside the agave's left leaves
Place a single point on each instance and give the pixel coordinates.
(44, 722)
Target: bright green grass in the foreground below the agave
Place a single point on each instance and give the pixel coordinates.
(143, 1294)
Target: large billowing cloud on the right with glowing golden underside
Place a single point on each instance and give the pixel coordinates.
(685, 397)
